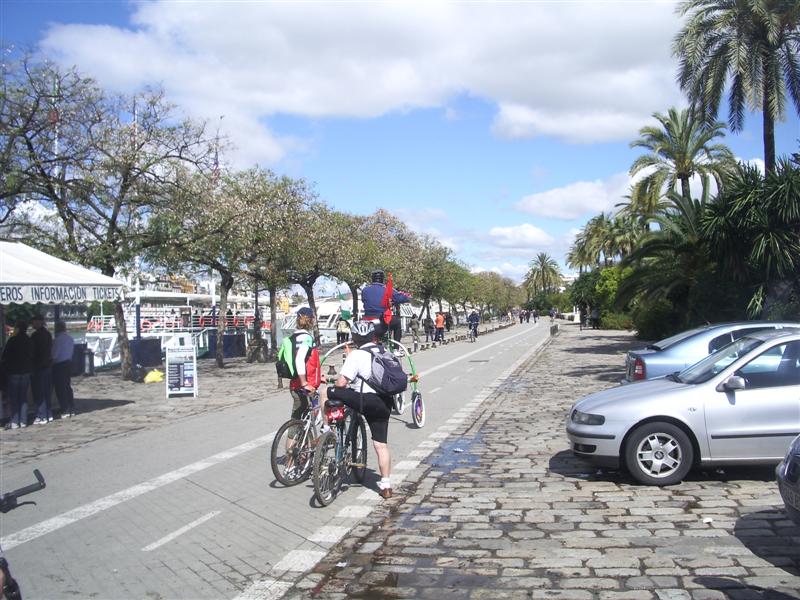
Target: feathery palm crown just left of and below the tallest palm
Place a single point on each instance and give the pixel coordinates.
(679, 148)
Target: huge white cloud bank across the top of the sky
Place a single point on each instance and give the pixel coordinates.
(580, 71)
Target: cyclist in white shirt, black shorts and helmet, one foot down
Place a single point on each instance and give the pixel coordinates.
(353, 390)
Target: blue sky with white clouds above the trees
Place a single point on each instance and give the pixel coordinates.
(499, 128)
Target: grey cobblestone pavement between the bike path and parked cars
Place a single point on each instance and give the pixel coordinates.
(503, 510)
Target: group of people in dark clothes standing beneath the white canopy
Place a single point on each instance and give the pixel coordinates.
(41, 363)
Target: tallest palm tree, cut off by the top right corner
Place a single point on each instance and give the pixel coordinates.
(747, 46)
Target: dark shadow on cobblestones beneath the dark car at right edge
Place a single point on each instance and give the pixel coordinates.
(772, 536)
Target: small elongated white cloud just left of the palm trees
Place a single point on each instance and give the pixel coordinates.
(577, 199)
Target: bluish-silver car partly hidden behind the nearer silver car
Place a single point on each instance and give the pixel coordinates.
(686, 348)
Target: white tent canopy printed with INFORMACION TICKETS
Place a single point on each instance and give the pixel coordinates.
(30, 276)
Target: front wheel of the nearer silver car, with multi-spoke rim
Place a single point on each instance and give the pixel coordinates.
(658, 454)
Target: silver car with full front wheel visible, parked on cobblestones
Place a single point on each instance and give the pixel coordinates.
(740, 405)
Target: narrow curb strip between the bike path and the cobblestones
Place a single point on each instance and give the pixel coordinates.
(313, 579)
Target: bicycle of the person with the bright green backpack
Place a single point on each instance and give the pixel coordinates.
(292, 453)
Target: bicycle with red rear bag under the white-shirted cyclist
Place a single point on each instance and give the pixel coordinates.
(341, 451)
